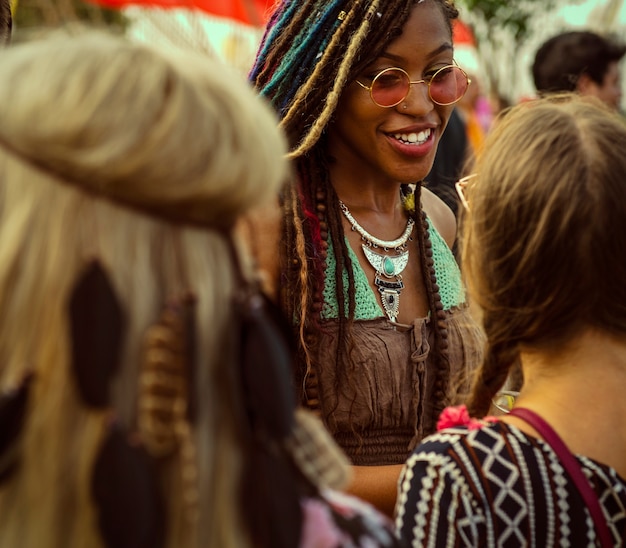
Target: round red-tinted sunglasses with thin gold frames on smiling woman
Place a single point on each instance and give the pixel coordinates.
(391, 86)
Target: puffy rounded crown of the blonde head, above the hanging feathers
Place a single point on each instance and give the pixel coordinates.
(176, 135)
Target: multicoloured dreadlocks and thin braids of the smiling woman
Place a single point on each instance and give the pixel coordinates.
(310, 51)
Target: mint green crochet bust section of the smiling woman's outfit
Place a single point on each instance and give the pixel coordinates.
(367, 307)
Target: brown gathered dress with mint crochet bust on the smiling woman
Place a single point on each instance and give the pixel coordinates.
(381, 404)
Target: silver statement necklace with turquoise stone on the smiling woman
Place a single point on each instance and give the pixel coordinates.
(388, 277)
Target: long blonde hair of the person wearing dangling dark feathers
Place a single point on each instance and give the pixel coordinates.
(111, 151)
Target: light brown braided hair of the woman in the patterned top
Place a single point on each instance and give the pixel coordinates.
(543, 241)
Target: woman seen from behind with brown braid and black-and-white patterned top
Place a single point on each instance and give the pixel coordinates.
(543, 241)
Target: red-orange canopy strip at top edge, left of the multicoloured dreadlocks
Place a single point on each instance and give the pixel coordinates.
(250, 12)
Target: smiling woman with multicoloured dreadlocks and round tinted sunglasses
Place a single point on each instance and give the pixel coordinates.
(359, 257)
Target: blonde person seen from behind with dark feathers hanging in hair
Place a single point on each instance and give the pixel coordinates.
(145, 399)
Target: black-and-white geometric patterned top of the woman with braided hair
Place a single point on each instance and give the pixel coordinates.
(496, 486)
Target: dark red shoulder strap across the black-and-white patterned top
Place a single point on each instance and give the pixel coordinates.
(572, 467)
